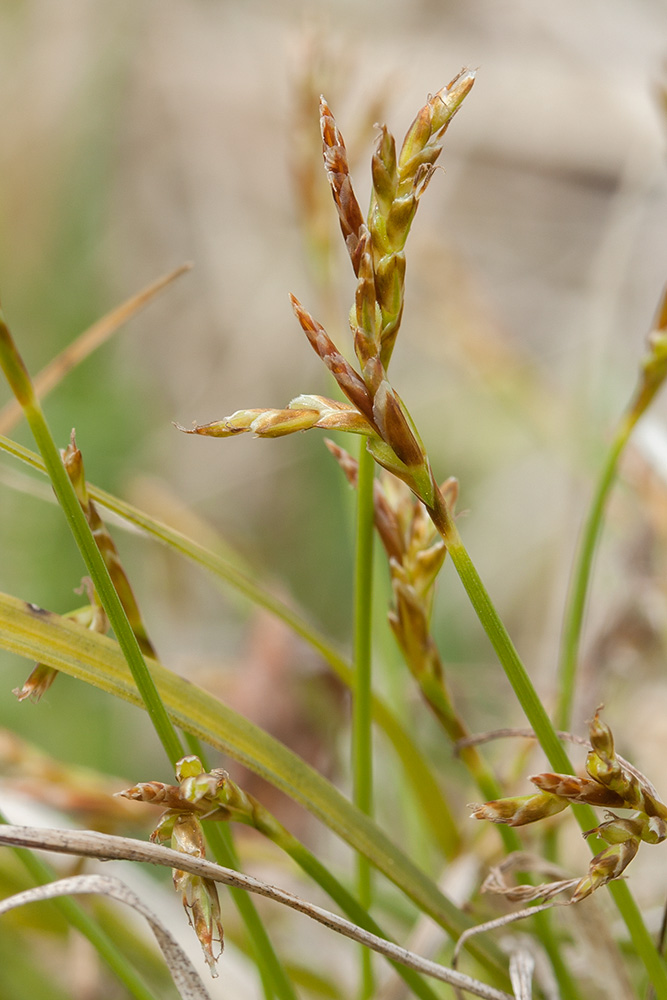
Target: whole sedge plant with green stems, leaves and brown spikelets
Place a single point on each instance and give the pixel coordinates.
(414, 517)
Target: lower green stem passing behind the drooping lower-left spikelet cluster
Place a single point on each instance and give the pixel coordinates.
(219, 837)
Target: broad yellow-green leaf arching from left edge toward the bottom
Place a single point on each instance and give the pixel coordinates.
(45, 636)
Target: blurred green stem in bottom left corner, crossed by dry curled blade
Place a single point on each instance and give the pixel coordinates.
(80, 919)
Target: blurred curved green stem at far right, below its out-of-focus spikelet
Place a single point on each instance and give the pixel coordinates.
(581, 575)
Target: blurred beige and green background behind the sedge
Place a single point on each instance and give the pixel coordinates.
(141, 134)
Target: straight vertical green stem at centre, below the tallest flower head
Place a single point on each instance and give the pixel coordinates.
(362, 750)
